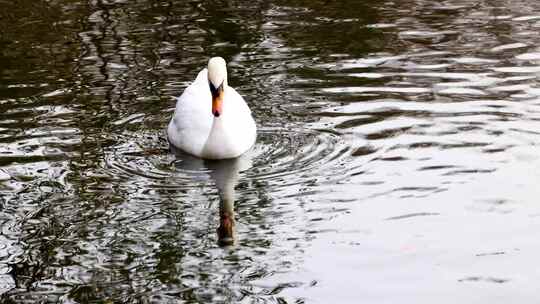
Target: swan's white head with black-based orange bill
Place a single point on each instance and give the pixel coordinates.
(217, 81)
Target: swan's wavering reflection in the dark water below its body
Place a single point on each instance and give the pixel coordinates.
(224, 173)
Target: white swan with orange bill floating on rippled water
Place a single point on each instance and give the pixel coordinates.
(211, 120)
